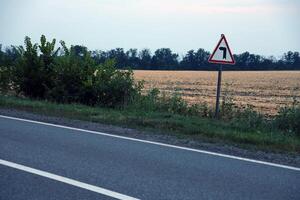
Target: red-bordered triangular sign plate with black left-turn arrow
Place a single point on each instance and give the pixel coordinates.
(222, 53)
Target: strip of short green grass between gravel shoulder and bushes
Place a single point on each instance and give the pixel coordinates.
(180, 125)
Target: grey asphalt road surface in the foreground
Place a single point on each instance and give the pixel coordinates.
(137, 169)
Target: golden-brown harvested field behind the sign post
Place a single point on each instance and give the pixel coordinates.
(265, 90)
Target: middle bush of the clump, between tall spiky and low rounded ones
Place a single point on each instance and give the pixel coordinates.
(72, 70)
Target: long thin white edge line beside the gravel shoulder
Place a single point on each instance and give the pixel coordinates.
(157, 143)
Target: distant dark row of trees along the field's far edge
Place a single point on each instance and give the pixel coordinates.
(166, 59)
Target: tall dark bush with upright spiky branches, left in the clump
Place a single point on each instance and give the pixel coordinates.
(32, 75)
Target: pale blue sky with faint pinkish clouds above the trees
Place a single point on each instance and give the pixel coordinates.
(265, 27)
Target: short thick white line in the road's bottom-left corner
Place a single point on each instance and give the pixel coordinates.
(67, 180)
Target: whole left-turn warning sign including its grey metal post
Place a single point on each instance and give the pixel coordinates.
(221, 55)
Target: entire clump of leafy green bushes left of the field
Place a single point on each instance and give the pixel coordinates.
(72, 76)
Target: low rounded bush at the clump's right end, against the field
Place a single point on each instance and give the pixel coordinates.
(111, 87)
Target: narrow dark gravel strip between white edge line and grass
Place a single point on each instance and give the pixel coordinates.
(292, 159)
